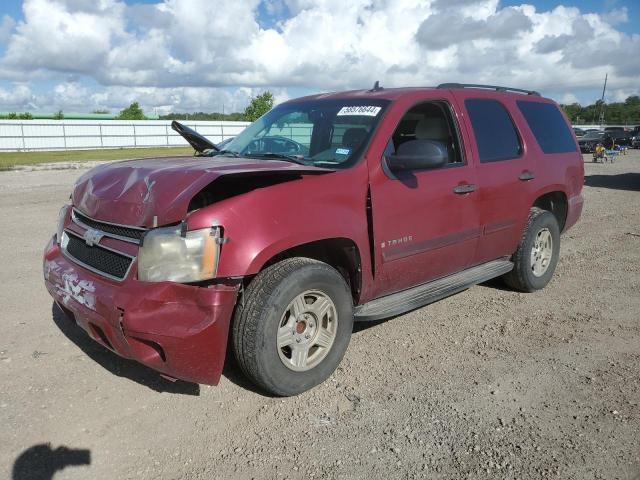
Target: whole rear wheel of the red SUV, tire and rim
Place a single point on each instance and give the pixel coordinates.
(529, 275)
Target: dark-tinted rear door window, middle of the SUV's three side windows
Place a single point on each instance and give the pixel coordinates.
(494, 130)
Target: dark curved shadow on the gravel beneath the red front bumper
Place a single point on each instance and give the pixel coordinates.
(117, 365)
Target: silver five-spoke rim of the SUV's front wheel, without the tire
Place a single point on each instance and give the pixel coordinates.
(307, 330)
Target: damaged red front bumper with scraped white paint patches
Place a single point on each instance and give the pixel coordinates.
(178, 330)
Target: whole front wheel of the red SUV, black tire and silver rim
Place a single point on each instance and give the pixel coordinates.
(279, 305)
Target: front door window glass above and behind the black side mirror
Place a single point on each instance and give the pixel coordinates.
(428, 121)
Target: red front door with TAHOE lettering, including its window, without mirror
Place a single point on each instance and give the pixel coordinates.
(425, 223)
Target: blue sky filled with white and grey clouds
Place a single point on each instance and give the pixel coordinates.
(210, 55)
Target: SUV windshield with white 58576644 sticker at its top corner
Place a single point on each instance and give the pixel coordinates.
(323, 133)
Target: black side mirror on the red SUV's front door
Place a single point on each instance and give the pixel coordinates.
(418, 155)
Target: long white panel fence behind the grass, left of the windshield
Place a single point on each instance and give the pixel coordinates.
(91, 134)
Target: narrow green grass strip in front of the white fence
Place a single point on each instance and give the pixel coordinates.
(8, 160)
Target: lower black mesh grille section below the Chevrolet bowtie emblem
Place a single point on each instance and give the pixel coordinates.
(97, 258)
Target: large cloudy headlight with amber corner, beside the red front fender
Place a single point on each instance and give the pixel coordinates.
(172, 255)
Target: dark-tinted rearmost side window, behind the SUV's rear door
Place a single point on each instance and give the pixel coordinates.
(548, 126)
